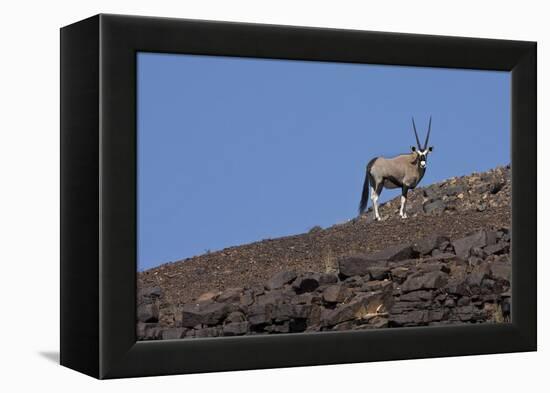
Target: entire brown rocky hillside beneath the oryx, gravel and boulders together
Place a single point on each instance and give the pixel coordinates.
(447, 263)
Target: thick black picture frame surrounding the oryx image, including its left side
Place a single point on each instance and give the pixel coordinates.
(98, 195)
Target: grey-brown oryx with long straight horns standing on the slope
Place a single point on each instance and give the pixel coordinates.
(404, 171)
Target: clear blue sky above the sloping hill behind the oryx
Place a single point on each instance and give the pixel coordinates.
(235, 150)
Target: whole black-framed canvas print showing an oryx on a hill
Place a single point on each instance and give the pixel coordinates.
(298, 196)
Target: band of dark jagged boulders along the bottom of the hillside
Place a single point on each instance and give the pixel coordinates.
(433, 281)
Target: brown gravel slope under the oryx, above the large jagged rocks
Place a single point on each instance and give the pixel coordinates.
(455, 208)
